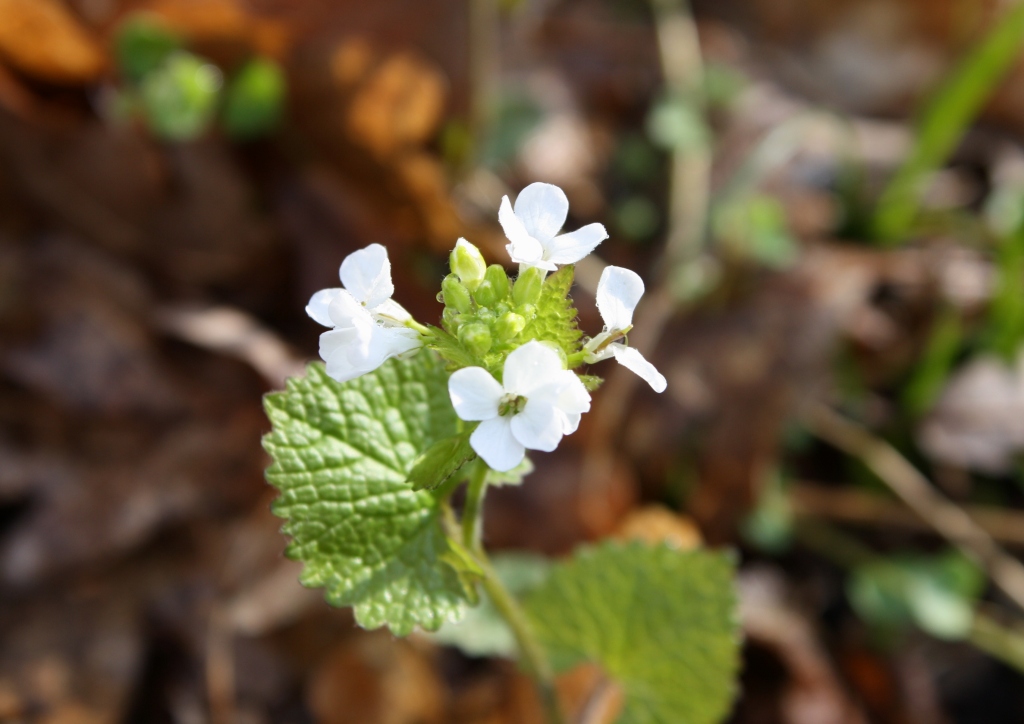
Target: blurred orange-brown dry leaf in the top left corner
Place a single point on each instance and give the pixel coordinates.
(42, 39)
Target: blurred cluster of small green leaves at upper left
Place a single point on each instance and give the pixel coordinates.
(180, 96)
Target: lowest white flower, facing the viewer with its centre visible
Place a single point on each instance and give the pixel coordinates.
(537, 404)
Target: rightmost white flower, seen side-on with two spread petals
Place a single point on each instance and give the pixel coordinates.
(619, 291)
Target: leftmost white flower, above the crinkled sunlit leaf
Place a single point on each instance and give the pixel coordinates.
(369, 326)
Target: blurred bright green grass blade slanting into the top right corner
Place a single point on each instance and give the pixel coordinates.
(945, 120)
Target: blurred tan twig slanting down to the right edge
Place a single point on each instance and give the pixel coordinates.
(949, 520)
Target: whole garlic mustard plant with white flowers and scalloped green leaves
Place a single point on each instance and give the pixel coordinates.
(370, 449)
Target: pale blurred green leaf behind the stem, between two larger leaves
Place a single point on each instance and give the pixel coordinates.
(484, 631)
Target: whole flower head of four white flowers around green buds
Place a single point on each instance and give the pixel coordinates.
(514, 346)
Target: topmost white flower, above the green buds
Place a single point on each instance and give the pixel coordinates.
(540, 212)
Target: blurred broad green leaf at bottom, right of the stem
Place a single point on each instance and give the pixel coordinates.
(661, 622)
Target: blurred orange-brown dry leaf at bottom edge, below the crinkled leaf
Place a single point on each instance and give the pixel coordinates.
(373, 679)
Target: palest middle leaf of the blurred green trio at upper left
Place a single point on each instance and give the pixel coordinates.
(180, 99)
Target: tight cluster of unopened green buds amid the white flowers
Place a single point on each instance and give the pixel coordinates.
(483, 309)
